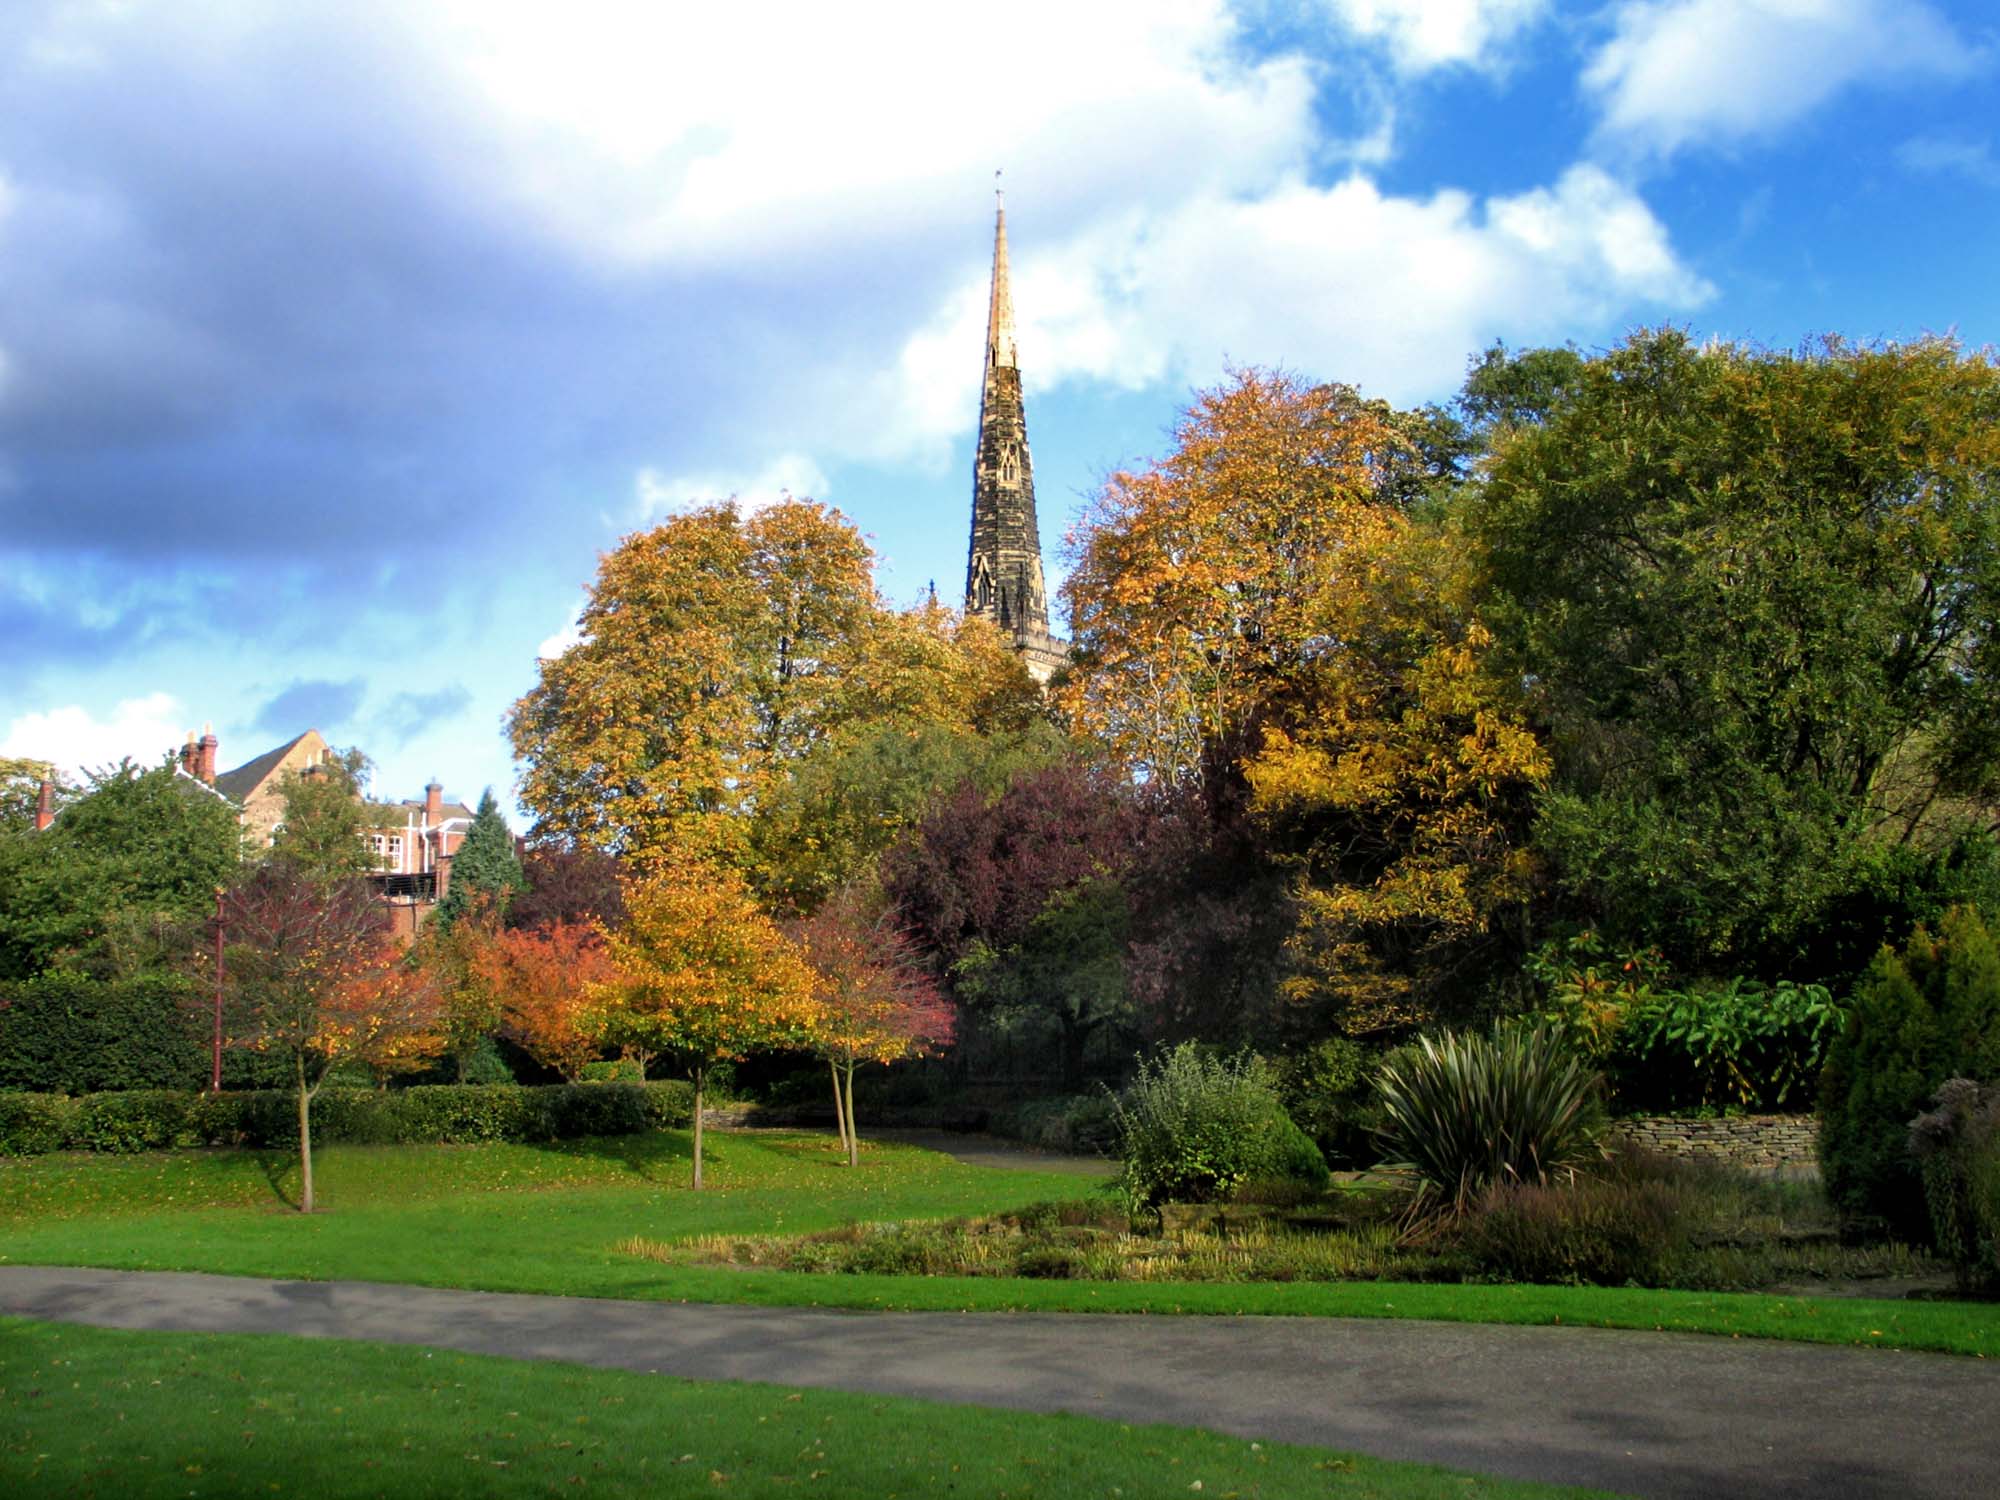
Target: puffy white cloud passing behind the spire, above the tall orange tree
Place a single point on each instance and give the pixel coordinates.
(1343, 281)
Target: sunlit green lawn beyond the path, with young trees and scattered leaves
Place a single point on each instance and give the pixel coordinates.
(525, 1219)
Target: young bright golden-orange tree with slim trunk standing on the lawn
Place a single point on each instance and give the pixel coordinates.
(703, 973)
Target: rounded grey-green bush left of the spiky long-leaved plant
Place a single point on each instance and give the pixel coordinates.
(1193, 1127)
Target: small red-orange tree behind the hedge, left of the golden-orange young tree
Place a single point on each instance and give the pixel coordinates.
(545, 981)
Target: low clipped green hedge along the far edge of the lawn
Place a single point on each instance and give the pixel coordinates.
(433, 1115)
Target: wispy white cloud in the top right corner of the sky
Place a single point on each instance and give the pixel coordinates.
(1681, 73)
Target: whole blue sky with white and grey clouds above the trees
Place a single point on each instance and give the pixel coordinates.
(341, 337)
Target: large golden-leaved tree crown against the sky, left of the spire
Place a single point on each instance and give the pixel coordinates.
(711, 649)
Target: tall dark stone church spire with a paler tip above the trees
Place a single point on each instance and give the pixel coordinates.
(1005, 561)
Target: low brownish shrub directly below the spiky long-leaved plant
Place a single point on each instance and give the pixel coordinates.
(1595, 1231)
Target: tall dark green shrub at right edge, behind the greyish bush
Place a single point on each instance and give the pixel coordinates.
(1919, 1017)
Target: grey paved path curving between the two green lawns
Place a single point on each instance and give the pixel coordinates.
(1655, 1415)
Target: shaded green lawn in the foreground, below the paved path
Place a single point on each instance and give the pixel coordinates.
(103, 1413)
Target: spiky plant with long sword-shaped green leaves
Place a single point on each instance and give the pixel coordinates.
(1471, 1111)
